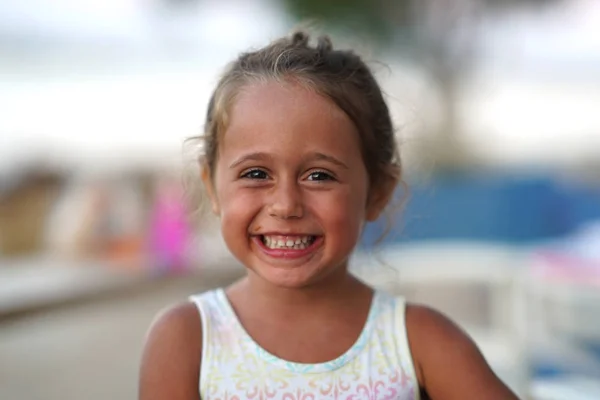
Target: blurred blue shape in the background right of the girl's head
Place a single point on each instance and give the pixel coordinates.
(509, 209)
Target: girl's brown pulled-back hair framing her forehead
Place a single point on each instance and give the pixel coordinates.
(339, 75)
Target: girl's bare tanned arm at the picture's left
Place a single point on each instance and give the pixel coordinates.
(170, 366)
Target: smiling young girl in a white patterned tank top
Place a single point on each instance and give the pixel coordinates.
(299, 153)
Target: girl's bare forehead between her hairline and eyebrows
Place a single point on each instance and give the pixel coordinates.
(287, 118)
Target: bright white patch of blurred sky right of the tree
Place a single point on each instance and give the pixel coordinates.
(537, 92)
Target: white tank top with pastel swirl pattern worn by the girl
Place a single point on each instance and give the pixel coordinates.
(234, 367)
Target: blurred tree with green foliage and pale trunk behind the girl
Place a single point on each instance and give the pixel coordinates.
(438, 34)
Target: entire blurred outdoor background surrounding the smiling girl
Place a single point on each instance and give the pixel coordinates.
(496, 107)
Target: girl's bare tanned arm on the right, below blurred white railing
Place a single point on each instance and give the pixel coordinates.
(448, 364)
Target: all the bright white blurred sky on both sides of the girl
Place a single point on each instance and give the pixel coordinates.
(100, 84)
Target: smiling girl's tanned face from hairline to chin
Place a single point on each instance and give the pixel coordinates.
(290, 185)
